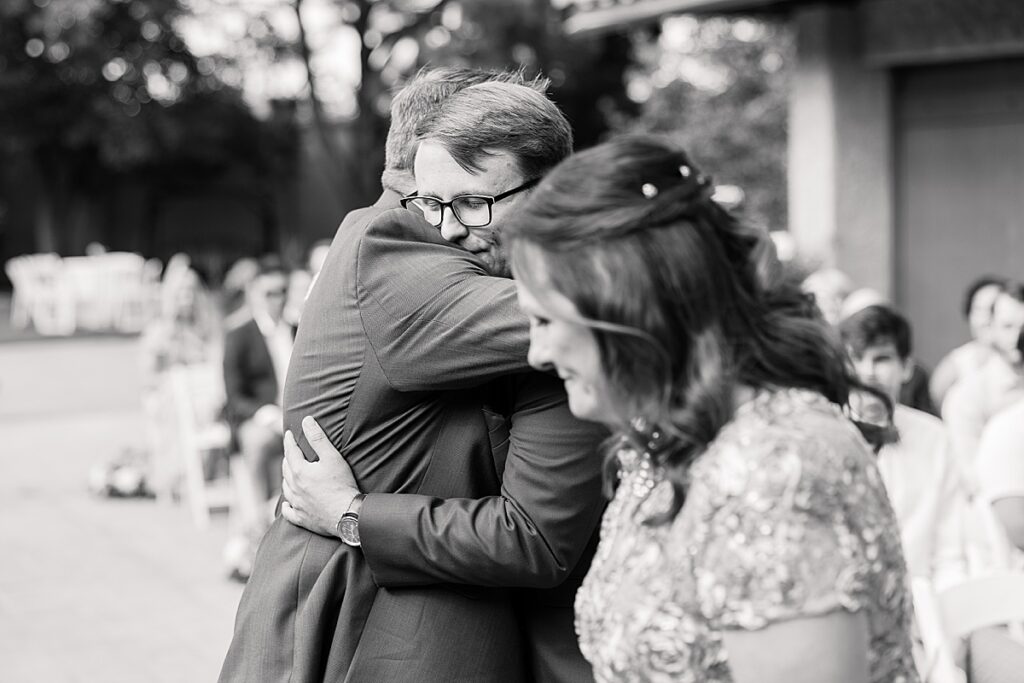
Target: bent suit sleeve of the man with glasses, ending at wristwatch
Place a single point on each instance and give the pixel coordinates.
(531, 536)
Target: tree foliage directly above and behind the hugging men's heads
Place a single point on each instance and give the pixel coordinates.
(398, 37)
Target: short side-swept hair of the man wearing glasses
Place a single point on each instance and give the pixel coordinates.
(497, 117)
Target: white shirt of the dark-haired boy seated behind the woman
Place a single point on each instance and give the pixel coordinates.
(928, 497)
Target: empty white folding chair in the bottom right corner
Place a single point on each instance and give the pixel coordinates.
(947, 617)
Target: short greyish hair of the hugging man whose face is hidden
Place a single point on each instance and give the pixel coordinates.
(422, 97)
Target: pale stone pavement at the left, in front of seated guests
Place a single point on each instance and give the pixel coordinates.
(96, 590)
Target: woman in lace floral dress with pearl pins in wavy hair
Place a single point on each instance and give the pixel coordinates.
(750, 537)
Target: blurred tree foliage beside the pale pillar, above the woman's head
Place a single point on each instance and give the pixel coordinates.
(719, 87)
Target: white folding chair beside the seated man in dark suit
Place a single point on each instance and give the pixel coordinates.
(197, 393)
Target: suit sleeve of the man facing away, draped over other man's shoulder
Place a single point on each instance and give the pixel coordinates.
(433, 316)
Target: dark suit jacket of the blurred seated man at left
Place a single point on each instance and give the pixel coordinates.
(249, 378)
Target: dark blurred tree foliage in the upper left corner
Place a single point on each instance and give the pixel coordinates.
(91, 89)
